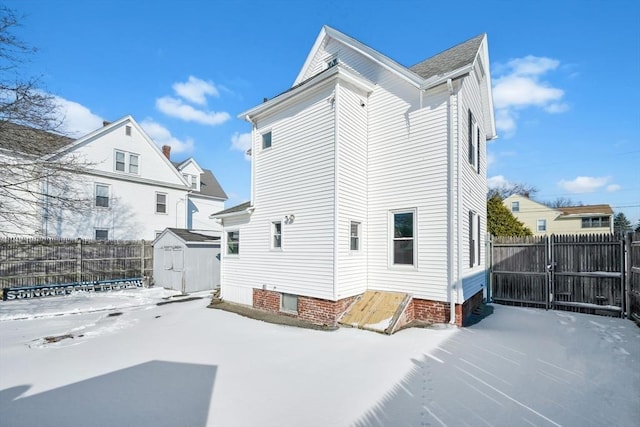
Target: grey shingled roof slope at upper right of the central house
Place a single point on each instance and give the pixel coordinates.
(449, 60)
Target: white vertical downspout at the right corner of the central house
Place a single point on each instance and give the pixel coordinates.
(451, 279)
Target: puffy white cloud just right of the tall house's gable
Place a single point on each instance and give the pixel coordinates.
(521, 86)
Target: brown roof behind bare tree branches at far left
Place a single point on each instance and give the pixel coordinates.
(27, 140)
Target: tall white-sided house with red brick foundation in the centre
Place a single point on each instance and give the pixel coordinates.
(366, 175)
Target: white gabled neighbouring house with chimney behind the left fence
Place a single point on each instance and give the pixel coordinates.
(129, 190)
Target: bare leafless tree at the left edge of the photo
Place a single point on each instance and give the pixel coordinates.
(33, 179)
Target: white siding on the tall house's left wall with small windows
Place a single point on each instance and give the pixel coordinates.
(294, 177)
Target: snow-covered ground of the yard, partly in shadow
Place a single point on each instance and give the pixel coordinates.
(120, 359)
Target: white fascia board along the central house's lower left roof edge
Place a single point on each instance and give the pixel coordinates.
(334, 72)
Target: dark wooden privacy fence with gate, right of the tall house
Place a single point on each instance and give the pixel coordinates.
(583, 273)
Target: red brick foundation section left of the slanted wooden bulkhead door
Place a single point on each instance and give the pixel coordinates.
(315, 310)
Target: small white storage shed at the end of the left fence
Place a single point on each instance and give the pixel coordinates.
(186, 261)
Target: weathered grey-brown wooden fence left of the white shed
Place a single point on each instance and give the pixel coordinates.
(32, 262)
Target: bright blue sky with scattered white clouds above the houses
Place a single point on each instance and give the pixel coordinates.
(566, 76)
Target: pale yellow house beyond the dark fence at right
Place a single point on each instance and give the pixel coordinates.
(543, 220)
